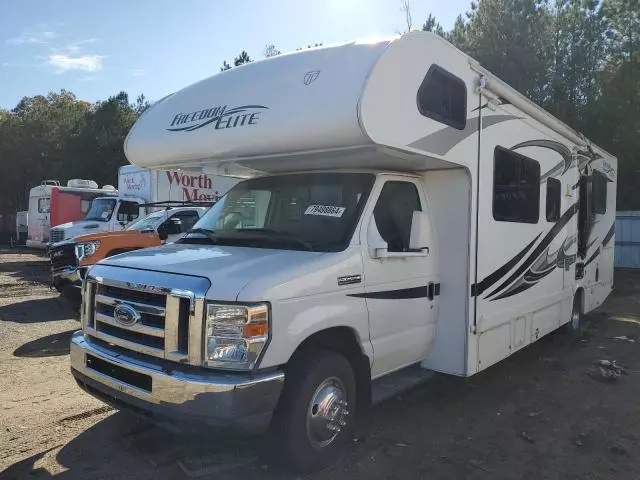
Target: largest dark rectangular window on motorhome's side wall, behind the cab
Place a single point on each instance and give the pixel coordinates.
(516, 187)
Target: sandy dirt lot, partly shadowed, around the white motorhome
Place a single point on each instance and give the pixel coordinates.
(537, 415)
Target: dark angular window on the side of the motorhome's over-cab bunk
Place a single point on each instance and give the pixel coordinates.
(443, 97)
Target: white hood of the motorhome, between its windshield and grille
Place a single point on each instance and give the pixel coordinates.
(230, 269)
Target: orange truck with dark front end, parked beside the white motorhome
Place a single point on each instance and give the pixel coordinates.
(70, 259)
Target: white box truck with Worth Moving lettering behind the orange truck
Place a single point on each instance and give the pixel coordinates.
(140, 188)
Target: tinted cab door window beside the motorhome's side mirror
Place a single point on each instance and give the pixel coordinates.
(394, 212)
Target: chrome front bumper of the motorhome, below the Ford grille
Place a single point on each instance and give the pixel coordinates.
(176, 396)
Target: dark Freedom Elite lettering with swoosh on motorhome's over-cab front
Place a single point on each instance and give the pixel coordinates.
(222, 117)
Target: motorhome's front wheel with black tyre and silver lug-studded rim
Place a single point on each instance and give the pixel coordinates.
(315, 416)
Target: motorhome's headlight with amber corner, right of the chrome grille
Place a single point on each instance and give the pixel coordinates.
(236, 335)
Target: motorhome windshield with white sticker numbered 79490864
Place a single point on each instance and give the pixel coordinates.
(316, 212)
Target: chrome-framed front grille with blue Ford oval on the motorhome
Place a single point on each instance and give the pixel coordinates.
(149, 313)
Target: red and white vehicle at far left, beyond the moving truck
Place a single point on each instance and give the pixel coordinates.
(51, 204)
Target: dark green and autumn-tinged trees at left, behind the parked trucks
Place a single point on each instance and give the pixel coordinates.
(60, 137)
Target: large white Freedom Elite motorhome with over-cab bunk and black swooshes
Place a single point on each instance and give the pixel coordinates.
(408, 211)
